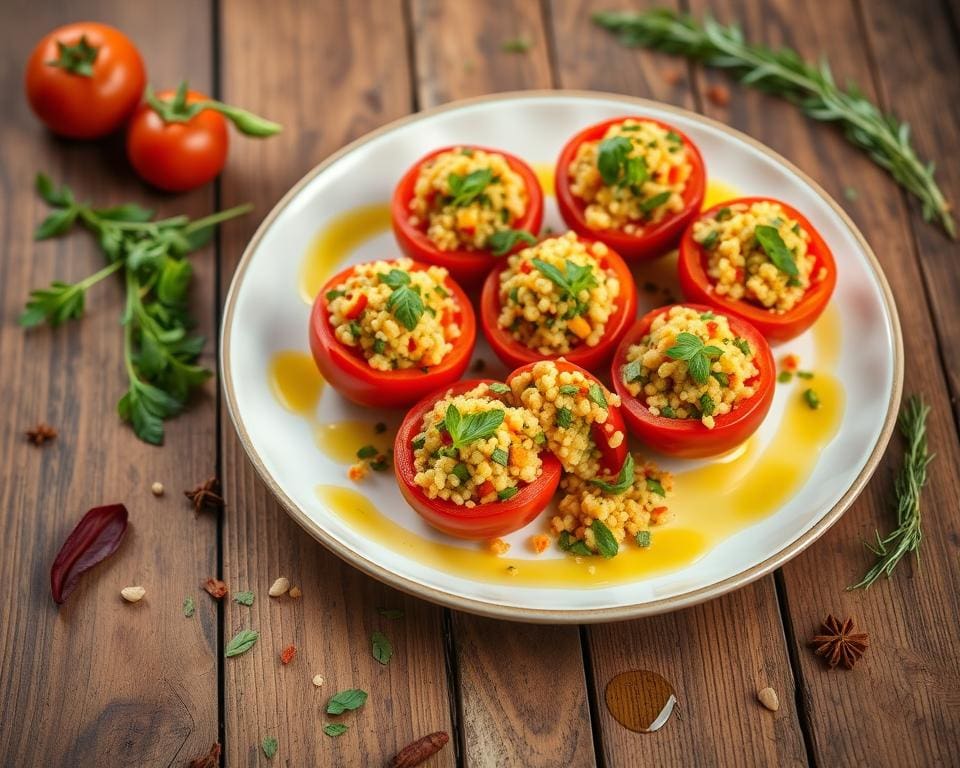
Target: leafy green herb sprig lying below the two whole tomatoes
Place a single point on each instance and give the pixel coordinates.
(159, 350)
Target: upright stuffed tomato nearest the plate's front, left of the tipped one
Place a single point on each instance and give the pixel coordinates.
(472, 464)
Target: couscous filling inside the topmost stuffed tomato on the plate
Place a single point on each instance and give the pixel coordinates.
(634, 176)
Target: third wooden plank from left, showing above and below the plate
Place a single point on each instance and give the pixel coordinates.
(544, 720)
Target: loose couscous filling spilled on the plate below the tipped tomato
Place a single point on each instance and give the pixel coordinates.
(596, 515)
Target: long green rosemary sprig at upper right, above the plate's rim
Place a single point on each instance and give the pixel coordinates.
(782, 72)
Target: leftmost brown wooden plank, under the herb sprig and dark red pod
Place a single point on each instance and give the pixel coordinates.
(97, 681)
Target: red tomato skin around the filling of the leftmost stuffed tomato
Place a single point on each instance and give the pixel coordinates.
(352, 377)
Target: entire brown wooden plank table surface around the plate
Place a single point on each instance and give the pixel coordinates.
(99, 683)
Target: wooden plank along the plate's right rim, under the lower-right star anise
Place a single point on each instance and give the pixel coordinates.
(898, 706)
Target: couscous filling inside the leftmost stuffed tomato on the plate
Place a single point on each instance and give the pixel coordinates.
(395, 317)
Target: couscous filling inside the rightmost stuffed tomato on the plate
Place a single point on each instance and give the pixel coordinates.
(757, 253)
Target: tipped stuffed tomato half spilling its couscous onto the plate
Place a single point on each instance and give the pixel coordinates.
(580, 419)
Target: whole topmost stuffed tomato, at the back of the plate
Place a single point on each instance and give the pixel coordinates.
(633, 183)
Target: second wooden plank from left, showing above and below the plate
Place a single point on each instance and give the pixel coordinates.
(316, 72)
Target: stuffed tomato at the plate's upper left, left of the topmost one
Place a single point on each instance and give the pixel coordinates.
(463, 208)
